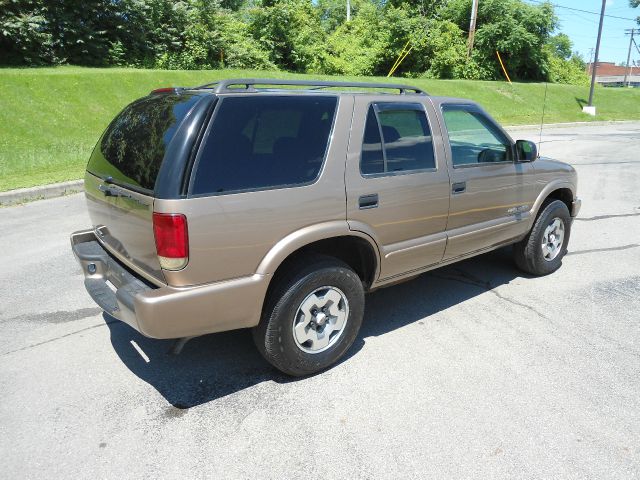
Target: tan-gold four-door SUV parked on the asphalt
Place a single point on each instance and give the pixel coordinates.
(276, 205)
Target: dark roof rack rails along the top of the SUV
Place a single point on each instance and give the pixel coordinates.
(249, 84)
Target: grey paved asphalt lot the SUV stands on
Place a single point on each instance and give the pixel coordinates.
(471, 371)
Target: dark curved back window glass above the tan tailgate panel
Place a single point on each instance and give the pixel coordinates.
(133, 146)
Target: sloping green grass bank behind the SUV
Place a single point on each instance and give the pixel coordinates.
(50, 118)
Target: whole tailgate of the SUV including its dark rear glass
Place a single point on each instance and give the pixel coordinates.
(122, 173)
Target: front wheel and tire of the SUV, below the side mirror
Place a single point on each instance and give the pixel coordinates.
(542, 250)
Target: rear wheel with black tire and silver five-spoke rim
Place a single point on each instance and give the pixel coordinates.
(311, 316)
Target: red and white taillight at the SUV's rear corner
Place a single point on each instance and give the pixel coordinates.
(172, 240)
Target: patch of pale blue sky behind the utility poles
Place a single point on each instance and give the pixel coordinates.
(582, 28)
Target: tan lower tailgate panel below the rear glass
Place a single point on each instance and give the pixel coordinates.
(123, 223)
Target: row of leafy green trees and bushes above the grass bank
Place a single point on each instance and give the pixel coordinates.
(294, 35)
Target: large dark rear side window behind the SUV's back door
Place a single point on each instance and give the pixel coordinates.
(265, 141)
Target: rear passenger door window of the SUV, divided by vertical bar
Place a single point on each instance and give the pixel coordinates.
(406, 145)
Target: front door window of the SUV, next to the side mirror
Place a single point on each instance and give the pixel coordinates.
(473, 138)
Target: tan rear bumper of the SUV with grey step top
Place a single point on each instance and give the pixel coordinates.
(166, 312)
